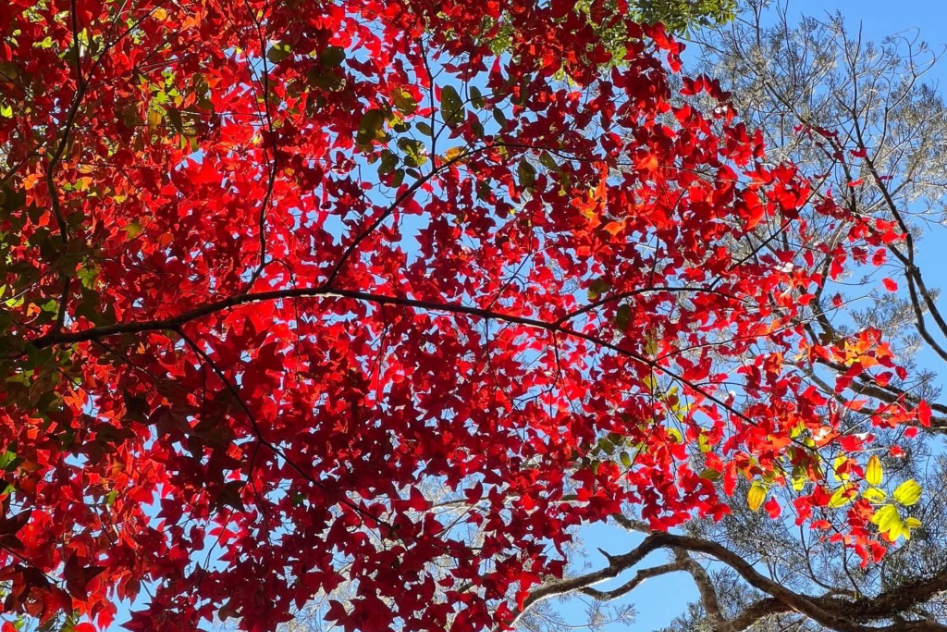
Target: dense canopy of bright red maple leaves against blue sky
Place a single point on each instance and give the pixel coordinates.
(274, 271)
